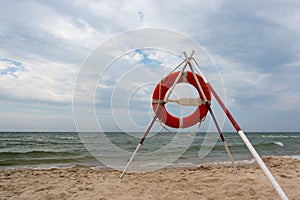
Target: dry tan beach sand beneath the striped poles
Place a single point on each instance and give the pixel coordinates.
(209, 182)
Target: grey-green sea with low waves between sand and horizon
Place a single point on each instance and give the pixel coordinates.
(44, 150)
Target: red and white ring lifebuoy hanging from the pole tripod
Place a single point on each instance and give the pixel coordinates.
(162, 88)
